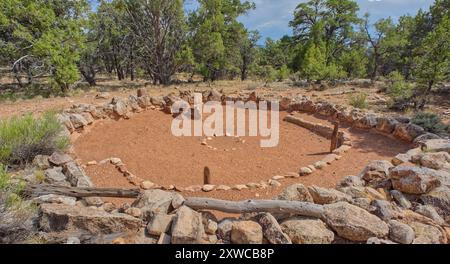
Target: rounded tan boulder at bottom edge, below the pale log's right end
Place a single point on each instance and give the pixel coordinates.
(302, 230)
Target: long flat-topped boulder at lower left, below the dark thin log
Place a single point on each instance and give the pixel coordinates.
(61, 217)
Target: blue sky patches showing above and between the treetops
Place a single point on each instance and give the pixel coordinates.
(271, 17)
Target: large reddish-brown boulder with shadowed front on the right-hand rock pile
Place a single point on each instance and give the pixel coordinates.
(413, 180)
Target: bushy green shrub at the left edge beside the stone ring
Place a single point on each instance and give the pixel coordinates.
(22, 138)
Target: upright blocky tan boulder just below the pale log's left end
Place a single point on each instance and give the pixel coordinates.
(187, 227)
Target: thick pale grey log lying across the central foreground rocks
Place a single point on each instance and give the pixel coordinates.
(252, 206)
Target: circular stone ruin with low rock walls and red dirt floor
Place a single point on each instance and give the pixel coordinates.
(129, 142)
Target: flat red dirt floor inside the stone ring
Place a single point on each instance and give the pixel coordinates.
(149, 150)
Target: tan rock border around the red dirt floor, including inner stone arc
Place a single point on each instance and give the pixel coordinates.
(81, 115)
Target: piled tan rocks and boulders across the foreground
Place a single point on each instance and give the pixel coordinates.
(406, 200)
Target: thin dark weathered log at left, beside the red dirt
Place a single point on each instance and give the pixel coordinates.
(79, 192)
